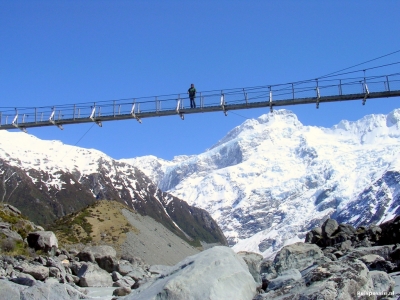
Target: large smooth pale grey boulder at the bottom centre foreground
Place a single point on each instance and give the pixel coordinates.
(214, 274)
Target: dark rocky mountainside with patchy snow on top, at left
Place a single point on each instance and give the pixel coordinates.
(47, 180)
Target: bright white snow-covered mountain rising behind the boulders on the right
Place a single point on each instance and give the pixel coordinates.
(272, 179)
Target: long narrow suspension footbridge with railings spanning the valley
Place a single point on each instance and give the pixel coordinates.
(315, 91)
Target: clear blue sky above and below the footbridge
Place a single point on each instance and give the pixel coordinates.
(65, 52)
